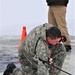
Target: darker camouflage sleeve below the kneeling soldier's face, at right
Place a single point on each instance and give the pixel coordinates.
(59, 55)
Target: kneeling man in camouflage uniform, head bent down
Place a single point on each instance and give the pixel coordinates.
(40, 45)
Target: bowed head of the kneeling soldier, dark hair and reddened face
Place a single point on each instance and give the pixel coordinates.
(53, 35)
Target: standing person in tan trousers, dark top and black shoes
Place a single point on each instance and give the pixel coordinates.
(57, 16)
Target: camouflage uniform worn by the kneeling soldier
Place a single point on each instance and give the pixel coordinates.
(29, 57)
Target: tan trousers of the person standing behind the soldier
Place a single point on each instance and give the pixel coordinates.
(57, 17)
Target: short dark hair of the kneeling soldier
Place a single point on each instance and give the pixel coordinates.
(53, 33)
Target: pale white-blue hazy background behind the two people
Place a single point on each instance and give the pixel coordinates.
(14, 14)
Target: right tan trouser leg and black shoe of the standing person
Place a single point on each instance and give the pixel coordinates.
(60, 16)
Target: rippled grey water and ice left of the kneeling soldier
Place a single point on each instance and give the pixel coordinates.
(8, 51)
